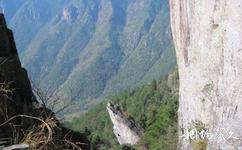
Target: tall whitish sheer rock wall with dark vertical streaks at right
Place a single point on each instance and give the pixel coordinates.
(207, 37)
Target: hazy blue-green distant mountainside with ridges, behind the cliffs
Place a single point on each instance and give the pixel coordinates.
(92, 48)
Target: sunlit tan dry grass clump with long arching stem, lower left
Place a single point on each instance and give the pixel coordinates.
(41, 136)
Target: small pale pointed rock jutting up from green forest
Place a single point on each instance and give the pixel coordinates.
(126, 130)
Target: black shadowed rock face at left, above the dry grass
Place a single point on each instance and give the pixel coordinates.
(15, 90)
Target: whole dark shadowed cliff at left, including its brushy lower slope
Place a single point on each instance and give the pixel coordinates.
(17, 98)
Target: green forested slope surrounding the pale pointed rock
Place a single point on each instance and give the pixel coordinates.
(153, 106)
